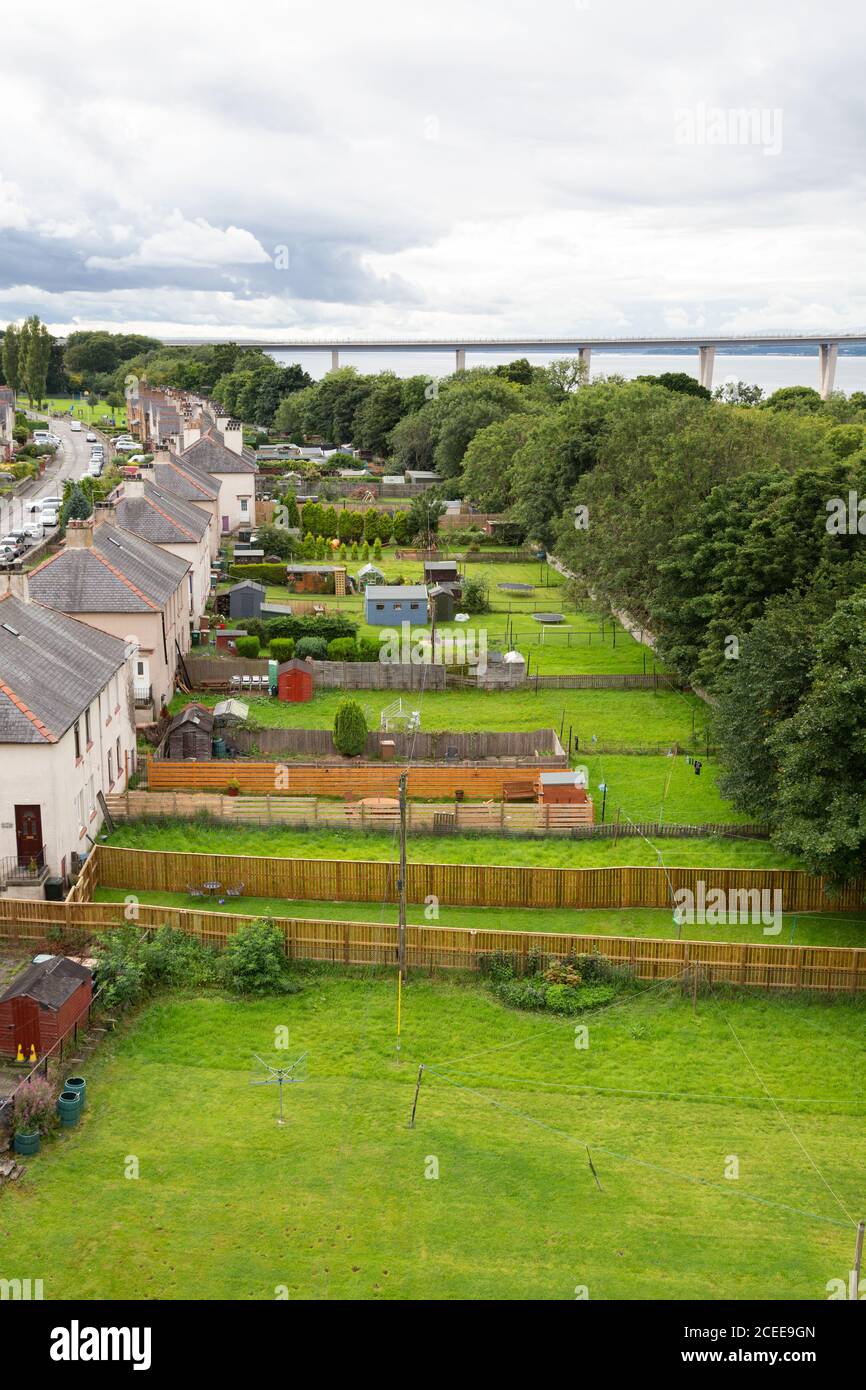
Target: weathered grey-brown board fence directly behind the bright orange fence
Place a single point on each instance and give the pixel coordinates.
(537, 747)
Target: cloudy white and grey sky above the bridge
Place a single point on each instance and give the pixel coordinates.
(473, 167)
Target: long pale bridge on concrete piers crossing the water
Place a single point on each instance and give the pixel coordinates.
(826, 345)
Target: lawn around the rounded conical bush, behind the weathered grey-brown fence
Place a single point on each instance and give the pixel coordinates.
(650, 721)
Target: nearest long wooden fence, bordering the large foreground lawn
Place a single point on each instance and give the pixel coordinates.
(433, 947)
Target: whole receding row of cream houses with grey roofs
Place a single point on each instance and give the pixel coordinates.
(92, 640)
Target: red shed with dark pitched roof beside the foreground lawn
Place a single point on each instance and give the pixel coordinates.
(42, 1004)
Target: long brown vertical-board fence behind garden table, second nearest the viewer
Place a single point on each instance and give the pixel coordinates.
(469, 886)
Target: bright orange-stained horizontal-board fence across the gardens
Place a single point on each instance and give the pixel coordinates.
(426, 782)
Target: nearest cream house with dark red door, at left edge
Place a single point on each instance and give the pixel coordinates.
(67, 735)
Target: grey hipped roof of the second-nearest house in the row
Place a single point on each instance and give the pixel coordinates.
(119, 575)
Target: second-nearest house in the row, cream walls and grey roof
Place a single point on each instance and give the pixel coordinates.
(130, 589)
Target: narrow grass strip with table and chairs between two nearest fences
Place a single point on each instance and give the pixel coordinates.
(811, 929)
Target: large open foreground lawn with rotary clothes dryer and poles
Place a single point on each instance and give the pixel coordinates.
(341, 1203)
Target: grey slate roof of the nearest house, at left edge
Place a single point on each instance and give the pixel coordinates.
(51, 672)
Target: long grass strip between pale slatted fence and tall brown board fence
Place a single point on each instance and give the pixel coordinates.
(280, 843)
